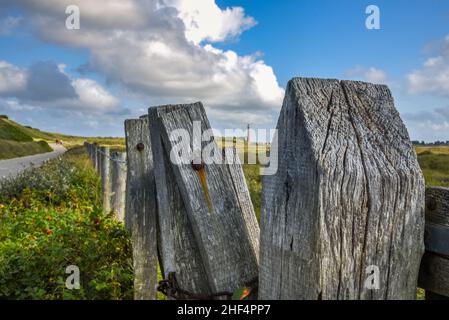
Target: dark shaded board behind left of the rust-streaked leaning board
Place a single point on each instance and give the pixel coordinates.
(178, 249)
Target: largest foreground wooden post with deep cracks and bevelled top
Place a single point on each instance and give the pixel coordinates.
(349, 194)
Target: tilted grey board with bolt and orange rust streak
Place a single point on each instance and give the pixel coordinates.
(218, 223)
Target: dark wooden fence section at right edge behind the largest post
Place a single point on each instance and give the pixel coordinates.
(434, 271)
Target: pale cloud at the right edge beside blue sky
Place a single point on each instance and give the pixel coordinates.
(433, 77)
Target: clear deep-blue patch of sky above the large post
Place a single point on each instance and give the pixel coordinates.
(323, 38)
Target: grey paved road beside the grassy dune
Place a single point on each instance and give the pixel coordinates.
(12, 167)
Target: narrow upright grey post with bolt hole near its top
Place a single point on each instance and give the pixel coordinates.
(141, 208)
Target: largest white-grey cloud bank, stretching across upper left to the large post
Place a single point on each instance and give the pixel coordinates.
(163, 50)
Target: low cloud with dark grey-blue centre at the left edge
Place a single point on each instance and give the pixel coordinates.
(45, 85)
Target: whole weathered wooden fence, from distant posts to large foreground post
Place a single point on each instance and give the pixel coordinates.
(342, 218)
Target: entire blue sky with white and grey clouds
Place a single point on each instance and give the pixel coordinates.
(236, 56)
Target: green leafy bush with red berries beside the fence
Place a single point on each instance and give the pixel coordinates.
(51, 218)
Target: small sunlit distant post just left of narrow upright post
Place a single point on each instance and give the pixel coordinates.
(118, 183)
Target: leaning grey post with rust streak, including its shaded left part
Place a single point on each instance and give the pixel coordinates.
(218, 237)
